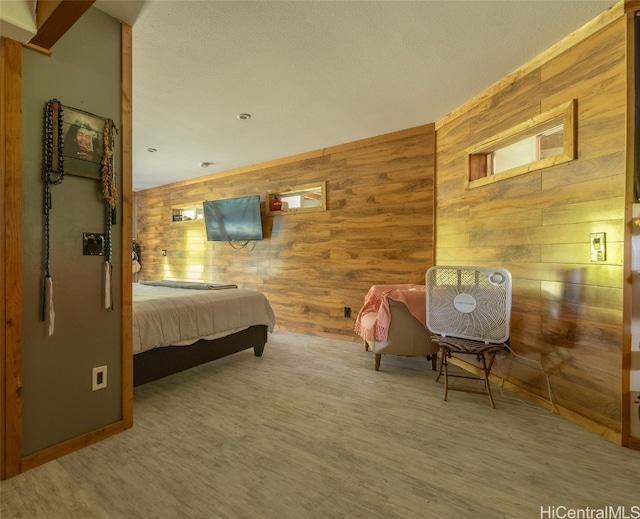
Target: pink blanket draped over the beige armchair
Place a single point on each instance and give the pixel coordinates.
(374, 318)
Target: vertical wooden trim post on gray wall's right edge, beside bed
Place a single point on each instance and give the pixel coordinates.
(127, 226)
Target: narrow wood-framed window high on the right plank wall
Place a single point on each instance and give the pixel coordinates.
(543, 141)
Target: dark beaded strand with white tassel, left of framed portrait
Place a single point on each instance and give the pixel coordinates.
(52, 125)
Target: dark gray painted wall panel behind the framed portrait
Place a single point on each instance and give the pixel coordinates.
(59, 404)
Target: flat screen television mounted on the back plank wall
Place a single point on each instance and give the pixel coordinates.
(233, 219)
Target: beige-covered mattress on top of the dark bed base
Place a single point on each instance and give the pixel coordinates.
(164, 316)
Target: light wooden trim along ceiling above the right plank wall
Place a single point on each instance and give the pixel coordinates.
(599, 22)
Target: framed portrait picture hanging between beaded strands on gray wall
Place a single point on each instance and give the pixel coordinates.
(83, 145)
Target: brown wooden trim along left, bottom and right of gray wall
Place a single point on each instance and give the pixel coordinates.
(12, 462)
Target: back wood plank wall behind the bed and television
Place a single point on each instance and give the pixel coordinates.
(378, 229)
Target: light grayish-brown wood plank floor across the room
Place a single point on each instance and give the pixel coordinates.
(311, 430)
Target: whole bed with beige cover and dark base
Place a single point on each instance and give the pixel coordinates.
(179, 325)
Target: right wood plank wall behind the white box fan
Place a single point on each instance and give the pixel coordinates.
(567, 310)
